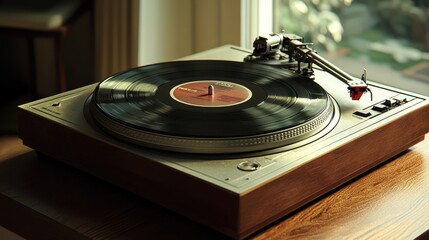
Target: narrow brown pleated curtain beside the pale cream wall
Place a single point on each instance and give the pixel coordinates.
(116, 36)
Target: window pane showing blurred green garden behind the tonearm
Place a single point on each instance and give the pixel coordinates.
(388, 37)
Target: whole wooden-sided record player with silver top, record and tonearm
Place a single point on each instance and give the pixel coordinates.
(230, 138)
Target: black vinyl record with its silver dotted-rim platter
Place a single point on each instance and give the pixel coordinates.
(210, 106)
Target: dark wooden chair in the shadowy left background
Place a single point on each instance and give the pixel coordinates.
(42, 19)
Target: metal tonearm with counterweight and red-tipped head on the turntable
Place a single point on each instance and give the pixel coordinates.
(278, 47)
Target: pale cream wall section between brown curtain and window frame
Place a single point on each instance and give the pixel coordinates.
(170, 29)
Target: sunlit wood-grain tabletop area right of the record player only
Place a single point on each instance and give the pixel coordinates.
(390, 202)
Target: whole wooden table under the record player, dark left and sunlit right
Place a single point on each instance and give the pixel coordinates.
(45, 199)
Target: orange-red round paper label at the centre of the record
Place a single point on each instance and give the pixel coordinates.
(210, 93)
